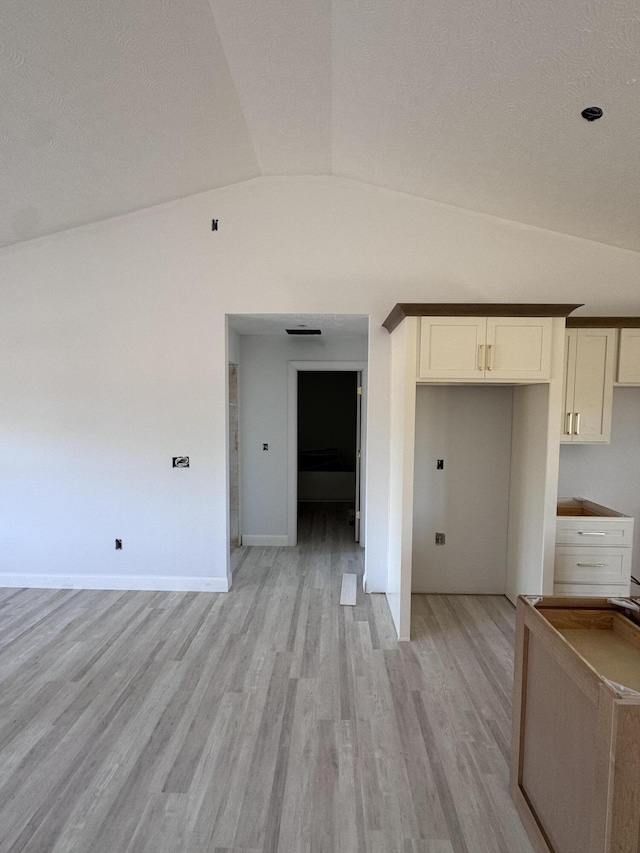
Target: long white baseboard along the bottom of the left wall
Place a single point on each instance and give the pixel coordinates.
(144, 582)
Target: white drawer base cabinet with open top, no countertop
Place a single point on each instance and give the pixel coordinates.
(594, 551)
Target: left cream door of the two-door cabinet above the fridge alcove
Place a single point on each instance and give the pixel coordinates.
(450, 347)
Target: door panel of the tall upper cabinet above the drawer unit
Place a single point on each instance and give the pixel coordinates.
(593, 390)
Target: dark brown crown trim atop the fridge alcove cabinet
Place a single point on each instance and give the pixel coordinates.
(474, 309)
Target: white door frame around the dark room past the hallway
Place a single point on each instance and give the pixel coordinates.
(292, 429)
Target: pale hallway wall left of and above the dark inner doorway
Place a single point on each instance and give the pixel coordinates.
(263, 396)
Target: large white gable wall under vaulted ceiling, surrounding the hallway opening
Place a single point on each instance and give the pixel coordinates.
(113, 355)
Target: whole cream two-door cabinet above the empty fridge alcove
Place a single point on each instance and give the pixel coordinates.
(485, 349)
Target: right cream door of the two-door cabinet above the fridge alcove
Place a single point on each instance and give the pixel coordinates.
(519, 348)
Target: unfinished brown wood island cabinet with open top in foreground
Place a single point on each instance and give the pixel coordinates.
(575, 760)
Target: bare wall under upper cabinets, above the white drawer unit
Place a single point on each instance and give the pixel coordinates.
(609, 474)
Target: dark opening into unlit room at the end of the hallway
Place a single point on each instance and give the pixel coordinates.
(329, 454)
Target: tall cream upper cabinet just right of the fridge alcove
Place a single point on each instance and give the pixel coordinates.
(588, 385)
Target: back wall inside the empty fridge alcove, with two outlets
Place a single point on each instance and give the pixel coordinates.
(469, 428)
